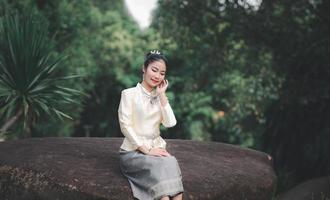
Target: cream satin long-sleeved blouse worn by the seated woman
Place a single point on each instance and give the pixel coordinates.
(140, 114)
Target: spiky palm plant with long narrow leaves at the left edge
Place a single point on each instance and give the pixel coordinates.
(28, 86)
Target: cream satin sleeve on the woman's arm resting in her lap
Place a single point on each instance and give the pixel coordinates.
(125, 120)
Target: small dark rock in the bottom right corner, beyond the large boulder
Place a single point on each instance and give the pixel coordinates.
(316, 189)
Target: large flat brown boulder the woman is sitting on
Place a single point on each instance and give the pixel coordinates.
(88, 168)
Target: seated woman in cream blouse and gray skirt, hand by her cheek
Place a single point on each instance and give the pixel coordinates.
(151, 171)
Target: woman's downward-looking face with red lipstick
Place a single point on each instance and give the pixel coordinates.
(154, 74)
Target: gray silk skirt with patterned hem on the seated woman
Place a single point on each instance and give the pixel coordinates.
(151, 177)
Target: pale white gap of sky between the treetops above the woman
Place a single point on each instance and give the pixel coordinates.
(141, 11)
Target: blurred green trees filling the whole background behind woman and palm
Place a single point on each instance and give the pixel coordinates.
(255, 76)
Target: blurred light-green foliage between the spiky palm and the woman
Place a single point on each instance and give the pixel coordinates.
(104, 46)
